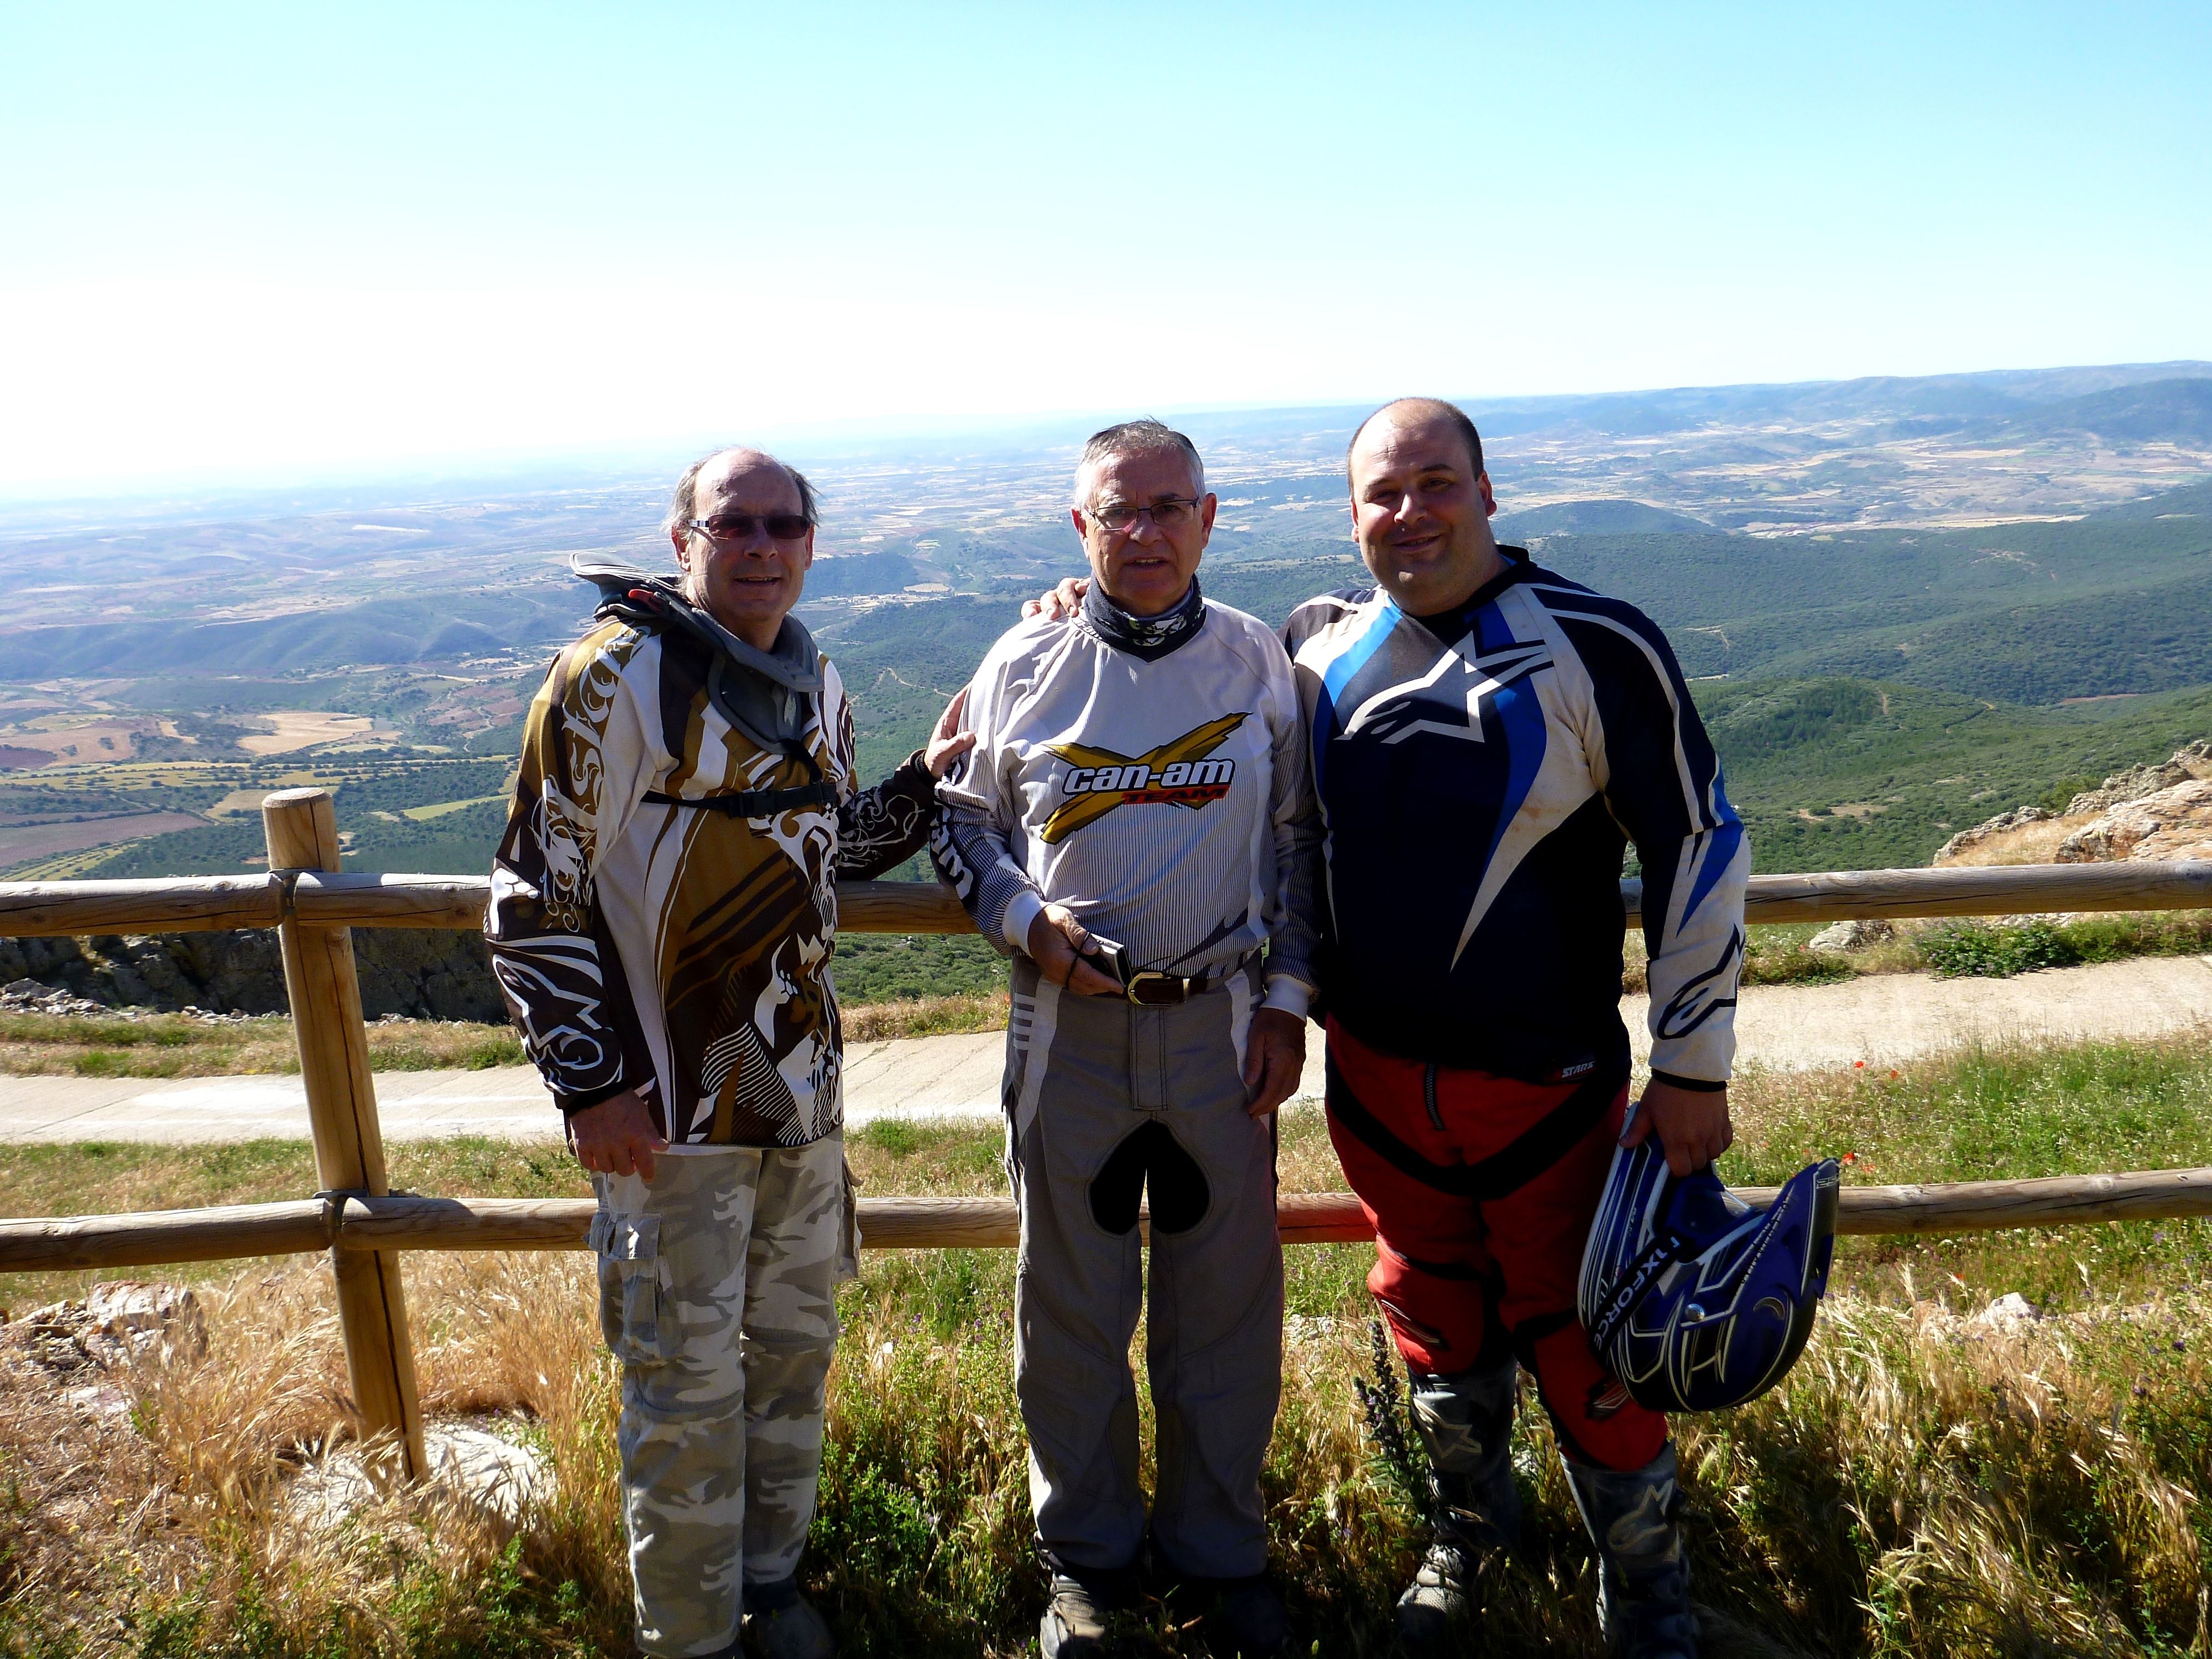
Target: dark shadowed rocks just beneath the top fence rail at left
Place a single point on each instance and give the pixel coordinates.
(430, 974)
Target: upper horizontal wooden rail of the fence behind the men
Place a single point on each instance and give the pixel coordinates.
(207, 904)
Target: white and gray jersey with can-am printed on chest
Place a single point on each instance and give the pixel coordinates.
(1162, 802)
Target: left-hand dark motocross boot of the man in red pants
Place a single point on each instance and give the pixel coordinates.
(1468, 1428)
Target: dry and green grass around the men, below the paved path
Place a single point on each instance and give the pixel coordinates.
(1928, 1481)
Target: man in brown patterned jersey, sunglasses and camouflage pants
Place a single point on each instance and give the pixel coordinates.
(662, 919)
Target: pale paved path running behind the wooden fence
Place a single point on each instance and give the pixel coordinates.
(932, 1078)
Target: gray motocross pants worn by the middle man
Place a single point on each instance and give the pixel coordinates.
(1103, 1103)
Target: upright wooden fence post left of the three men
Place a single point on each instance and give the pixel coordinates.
(348, 1140)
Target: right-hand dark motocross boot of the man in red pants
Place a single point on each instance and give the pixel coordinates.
(1645, 1578)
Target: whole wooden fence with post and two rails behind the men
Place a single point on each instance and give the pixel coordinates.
(364, 1227)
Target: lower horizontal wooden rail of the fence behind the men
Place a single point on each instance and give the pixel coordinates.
(970, 1224)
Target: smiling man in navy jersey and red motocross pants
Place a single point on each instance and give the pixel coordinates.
(1488, 738)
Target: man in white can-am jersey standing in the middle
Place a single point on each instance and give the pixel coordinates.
(1131, 828)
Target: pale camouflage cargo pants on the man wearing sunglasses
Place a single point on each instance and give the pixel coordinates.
(718, 1293)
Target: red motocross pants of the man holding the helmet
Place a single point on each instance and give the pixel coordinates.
(1481, 1193)
